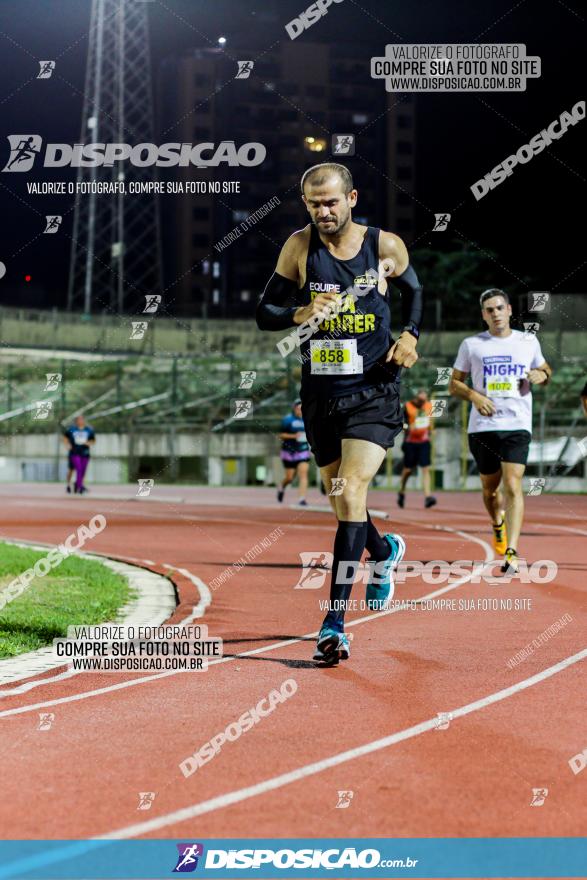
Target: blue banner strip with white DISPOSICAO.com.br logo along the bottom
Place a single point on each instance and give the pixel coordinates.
(302, 858)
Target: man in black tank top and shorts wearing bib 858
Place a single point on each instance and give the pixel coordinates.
(330, 283)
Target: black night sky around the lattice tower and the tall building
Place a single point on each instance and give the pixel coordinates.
(533, 221)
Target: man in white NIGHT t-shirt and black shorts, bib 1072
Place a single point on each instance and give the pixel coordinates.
(503, 364)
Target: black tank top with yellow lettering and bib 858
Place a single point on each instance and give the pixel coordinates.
(364, 318)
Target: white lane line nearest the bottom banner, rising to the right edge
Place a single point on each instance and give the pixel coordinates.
(275, 782)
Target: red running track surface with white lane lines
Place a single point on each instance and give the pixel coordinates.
(367, 726)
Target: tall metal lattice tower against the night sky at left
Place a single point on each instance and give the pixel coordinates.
(116, 247)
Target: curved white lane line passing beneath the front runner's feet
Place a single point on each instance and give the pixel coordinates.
(262, 650)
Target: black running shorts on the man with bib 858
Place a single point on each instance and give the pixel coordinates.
(373, 414)
